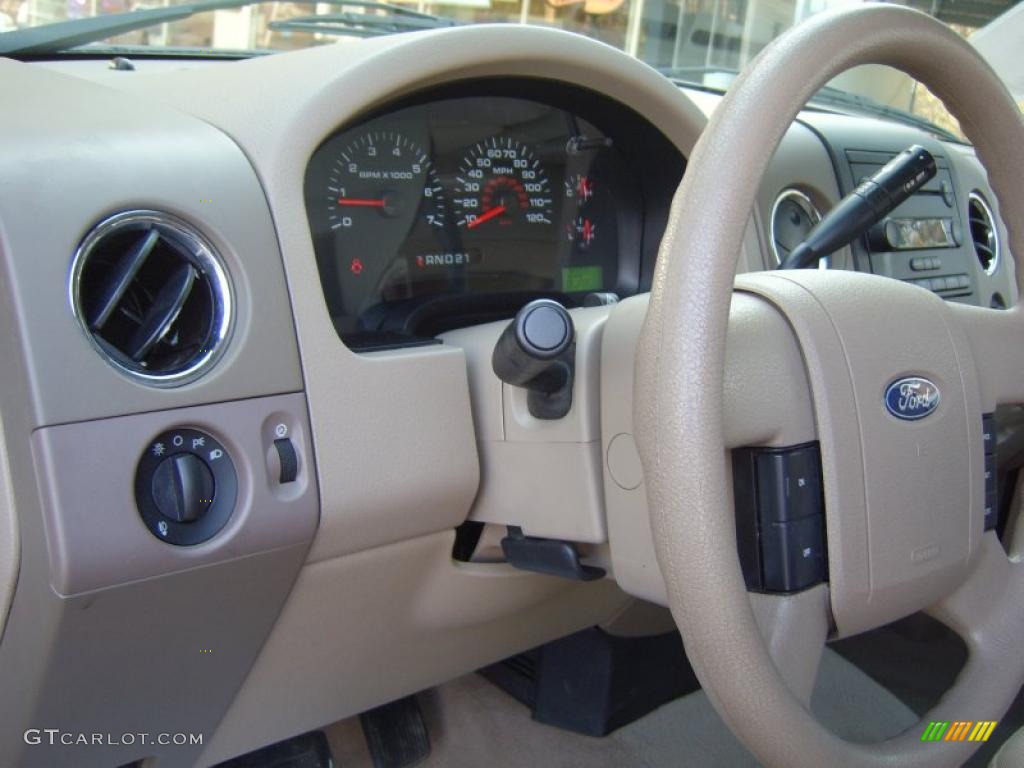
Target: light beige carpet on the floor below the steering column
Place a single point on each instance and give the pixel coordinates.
(474, 723)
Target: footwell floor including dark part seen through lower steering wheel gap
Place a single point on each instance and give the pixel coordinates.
(870, 688)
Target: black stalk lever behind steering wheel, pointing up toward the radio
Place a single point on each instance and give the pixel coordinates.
(874, 199)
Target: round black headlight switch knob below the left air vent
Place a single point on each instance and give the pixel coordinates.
(186, 487)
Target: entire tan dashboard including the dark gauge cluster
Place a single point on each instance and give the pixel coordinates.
(394, 193)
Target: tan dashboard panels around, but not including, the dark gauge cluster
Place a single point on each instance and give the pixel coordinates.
(330, 587)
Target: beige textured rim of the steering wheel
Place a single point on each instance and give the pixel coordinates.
(680, 408)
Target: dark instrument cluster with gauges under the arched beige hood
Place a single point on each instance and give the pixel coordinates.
(458, 207)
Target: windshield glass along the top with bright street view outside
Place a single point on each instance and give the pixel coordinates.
(701, 42)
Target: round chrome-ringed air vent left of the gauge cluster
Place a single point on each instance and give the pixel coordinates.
(153, 297)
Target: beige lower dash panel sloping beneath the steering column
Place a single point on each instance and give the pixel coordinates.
(364, 630)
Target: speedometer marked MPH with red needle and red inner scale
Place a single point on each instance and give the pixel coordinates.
(500, 184)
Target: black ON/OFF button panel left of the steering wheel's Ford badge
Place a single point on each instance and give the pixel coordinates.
(781, 533)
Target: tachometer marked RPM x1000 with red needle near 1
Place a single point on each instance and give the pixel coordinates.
(383, 181)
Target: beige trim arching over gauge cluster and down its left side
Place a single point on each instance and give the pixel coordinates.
(372, 414)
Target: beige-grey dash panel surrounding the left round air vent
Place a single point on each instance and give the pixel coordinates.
(152, 158)
